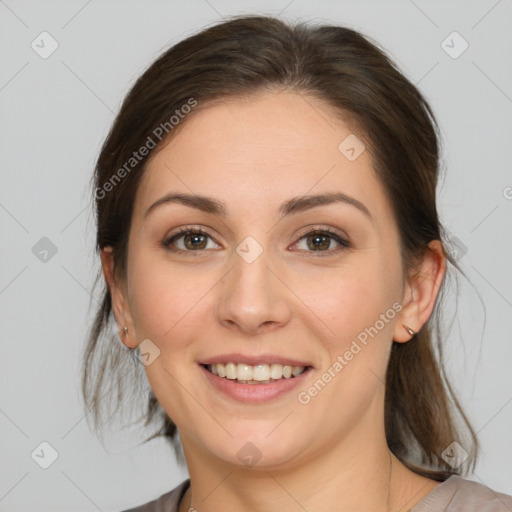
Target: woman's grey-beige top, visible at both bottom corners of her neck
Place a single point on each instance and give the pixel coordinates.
(456, 494)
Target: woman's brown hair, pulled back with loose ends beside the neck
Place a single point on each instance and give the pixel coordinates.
(246, 55)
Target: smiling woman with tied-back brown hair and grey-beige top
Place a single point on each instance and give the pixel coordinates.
(268, 232)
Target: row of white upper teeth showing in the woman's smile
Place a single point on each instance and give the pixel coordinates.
(259, 373)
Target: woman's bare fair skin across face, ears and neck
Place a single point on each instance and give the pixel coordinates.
(292, 301)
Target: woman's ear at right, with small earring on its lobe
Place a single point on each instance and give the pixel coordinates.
(421, 292)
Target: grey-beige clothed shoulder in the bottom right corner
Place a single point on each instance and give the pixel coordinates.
(456, 494)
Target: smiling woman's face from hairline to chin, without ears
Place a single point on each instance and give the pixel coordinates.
(270, 281)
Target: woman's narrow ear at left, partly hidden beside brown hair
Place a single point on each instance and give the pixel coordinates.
(120, 304)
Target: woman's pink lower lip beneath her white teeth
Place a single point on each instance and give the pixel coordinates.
(254, 393)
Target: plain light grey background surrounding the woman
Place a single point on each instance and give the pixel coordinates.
(54, 114)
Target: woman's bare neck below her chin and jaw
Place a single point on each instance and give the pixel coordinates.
(344, 477)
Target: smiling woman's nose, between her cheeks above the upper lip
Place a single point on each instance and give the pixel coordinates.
(253, 297)
